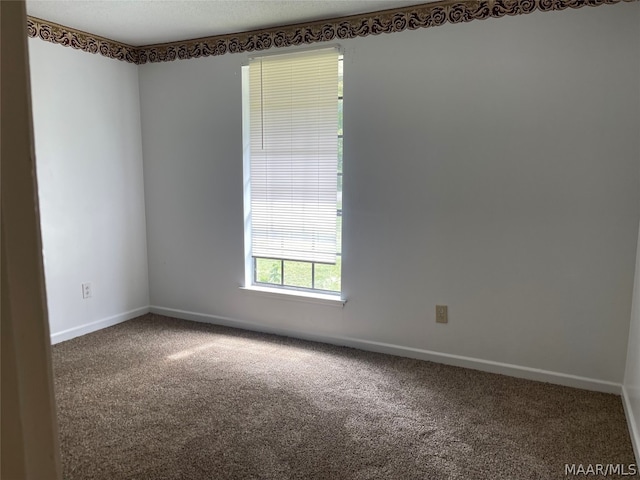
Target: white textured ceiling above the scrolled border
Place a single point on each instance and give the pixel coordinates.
(143, 22)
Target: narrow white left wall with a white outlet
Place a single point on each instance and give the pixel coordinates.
(89, 159)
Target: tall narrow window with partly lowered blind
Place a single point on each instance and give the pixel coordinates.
(292, 129)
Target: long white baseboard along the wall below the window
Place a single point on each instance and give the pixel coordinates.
(446, 358)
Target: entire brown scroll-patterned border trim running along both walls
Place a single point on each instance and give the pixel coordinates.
(385, 21)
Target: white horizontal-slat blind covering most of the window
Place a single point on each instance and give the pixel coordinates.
(294, 151)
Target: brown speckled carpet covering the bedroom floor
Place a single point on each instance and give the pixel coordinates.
(159, 398)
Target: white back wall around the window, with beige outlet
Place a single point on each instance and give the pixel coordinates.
(490, 166)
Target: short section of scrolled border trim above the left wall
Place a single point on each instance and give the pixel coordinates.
(87, 42)
